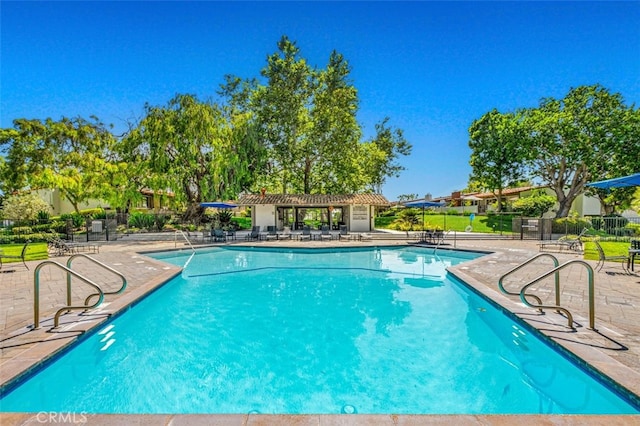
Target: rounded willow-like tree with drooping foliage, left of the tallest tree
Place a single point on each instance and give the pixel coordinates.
(191, 149)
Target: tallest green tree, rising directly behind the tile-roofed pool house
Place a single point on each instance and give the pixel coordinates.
(307, 118)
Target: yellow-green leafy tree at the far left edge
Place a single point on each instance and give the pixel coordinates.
(71, 155)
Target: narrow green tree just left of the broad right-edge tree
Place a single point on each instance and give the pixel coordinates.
(498, 152)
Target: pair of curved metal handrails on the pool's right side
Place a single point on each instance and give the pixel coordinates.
(556, 272)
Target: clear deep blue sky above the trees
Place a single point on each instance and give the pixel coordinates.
(431, 67)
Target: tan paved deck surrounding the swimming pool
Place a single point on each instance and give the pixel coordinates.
(613, 348)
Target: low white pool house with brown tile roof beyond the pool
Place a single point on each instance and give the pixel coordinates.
(356, 211)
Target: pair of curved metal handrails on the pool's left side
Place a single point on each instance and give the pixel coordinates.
(100, 294)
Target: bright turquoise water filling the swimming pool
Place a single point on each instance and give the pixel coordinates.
(382, 330)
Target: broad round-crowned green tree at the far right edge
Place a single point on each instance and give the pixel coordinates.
(585, 136)
